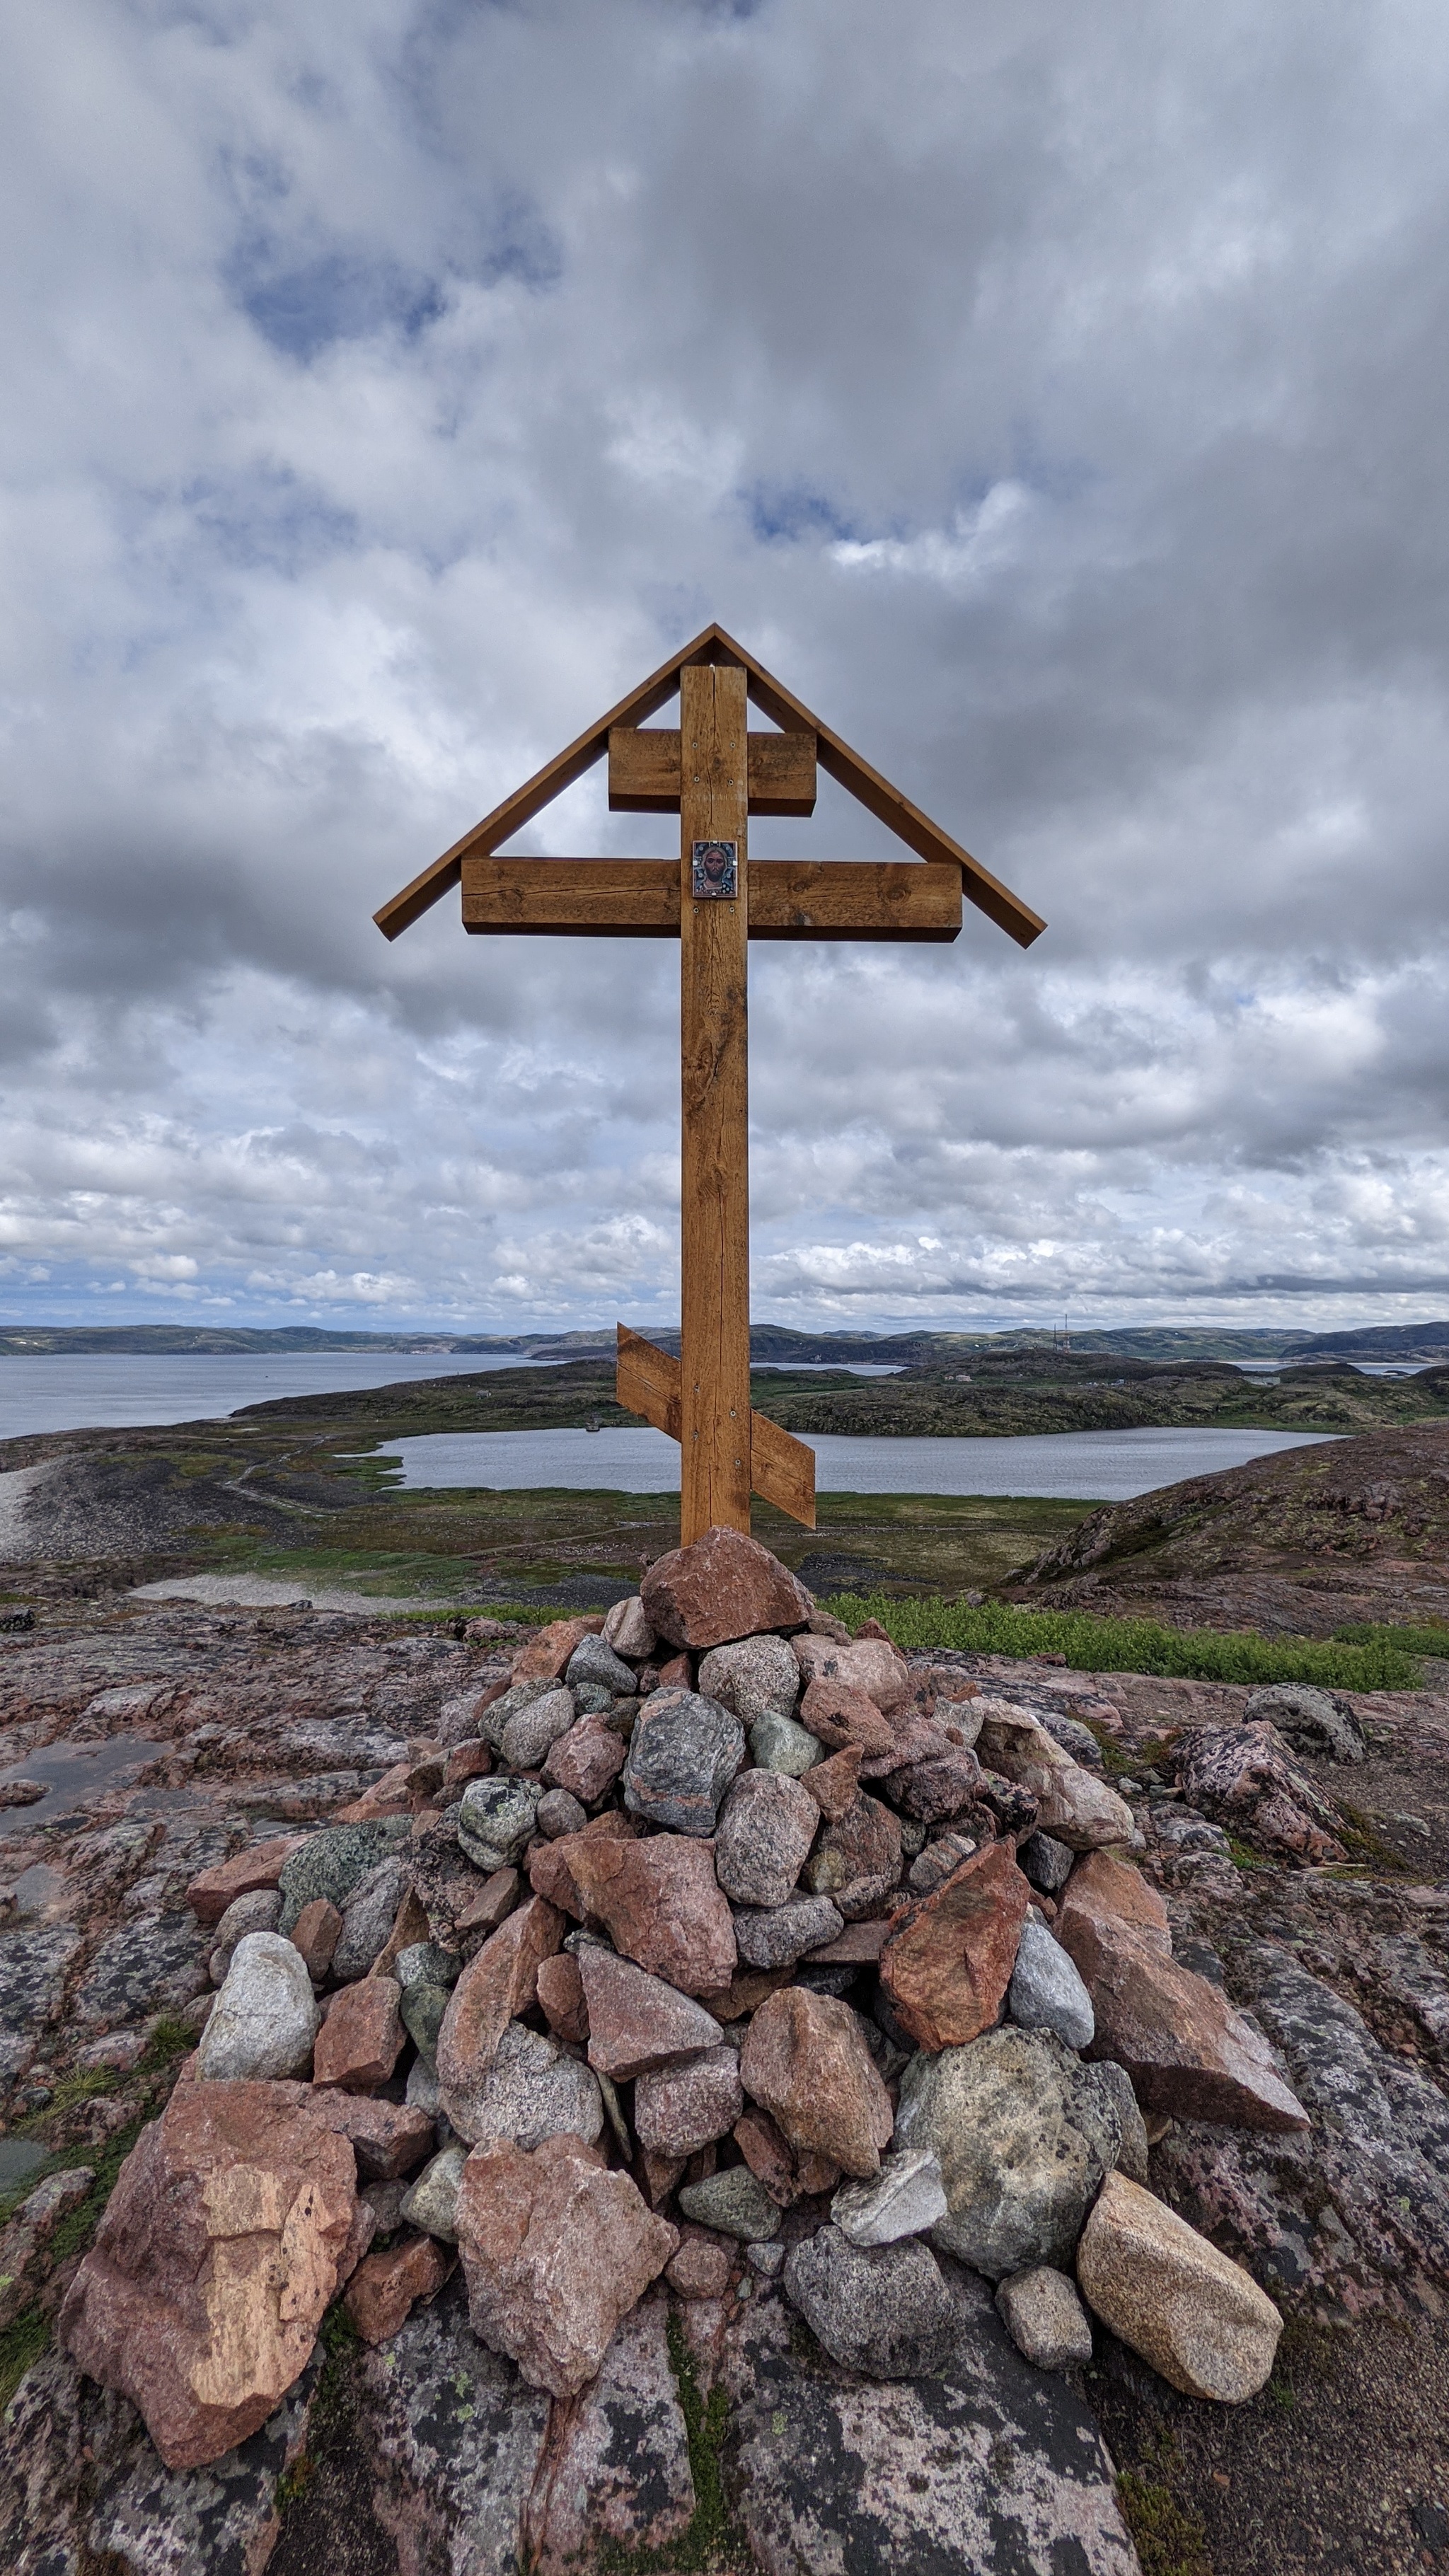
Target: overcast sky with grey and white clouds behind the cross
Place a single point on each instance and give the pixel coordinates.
(1056, 398)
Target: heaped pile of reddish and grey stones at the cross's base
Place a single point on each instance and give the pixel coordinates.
(705, 1944)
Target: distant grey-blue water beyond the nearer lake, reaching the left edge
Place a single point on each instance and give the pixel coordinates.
(107, 1390)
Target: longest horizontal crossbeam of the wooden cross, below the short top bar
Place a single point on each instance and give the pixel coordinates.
(641, 898)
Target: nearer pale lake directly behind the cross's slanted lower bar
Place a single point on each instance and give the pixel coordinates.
(1079, 1467)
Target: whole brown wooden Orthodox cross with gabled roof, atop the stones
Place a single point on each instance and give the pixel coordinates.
(715, 774)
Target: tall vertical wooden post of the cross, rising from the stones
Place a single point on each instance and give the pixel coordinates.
(715, 1302)
